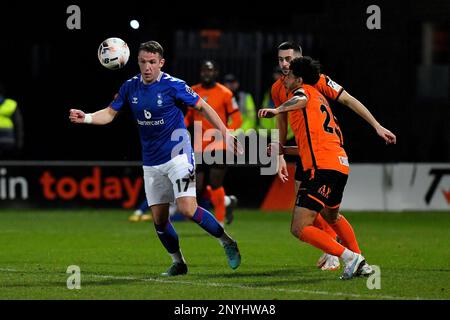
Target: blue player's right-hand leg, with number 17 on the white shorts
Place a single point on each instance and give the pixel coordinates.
(180, 172)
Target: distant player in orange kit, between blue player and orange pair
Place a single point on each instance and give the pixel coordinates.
(222, 101)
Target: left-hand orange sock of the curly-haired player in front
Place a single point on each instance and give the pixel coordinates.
(322, 240)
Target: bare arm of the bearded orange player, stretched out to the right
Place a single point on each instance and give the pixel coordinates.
(346, 99)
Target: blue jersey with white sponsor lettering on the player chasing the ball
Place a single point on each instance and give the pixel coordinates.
(155, 108)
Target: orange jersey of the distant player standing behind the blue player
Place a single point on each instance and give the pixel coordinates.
(220, 98)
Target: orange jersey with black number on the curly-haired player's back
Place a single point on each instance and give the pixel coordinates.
(318, 136)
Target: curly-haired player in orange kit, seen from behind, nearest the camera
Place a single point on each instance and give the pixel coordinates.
(319, 140)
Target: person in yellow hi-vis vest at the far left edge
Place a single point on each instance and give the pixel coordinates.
(11, 126)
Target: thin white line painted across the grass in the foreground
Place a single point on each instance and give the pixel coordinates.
(238, 286)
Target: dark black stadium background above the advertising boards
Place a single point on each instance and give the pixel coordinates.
(49, 69)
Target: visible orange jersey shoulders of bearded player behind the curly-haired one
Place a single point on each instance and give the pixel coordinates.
(325, 85)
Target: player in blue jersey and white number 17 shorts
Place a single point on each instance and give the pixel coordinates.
(168, 164)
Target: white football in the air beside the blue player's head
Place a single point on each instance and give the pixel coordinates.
(113, 53)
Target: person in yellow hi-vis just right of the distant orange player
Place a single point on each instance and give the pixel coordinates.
(244, 101)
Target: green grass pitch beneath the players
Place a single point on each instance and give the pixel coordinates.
(122, 260)
